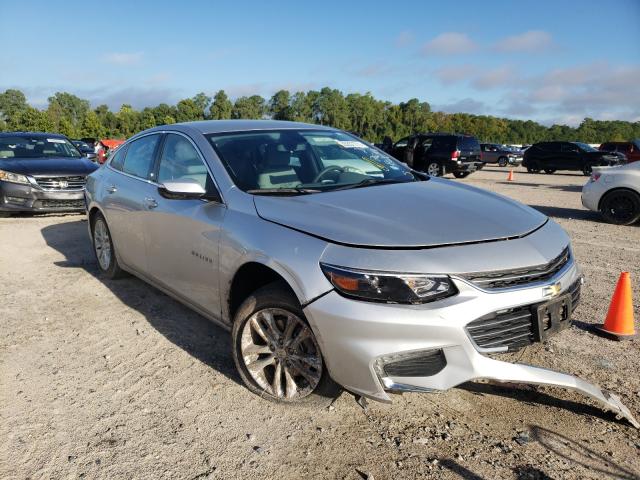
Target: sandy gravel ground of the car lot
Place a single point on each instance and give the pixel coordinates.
(113, 379)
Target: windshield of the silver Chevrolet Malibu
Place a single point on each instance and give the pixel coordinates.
(304, 161)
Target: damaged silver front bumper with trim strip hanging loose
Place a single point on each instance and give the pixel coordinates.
(373, 349)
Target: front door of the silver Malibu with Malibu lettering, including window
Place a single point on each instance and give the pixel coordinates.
(182, 235)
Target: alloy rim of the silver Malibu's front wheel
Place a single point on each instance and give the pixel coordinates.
(281, 354)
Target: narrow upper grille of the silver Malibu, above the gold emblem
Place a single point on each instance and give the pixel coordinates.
(520, 276)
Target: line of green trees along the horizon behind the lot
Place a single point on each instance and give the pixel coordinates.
(370, 118)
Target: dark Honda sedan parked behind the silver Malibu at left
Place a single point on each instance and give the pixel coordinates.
(41, 172)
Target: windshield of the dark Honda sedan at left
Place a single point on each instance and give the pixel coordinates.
(28, 146)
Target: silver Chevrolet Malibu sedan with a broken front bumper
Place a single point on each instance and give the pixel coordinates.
(333, 264)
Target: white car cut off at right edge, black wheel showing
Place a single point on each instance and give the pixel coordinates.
(615, 193)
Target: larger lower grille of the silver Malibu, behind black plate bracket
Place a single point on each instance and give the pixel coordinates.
(513, 328)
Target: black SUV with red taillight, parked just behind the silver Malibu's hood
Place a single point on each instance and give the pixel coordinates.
(440, 153)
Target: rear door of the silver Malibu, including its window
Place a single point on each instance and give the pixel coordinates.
(128, 188)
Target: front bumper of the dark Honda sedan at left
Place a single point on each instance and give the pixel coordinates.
(16, 197)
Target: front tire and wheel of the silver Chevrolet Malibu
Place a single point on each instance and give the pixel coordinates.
(275, 350)
